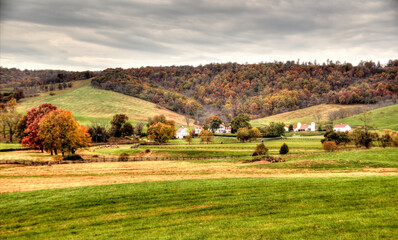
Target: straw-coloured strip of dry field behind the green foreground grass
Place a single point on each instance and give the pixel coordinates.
(14, 178)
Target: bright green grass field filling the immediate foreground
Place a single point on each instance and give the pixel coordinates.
(311, 208)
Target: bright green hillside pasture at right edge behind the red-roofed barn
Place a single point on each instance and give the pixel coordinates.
(381, 118)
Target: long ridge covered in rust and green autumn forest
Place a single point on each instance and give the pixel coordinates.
(258, 89)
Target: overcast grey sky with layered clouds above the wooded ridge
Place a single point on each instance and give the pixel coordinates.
(98, 34)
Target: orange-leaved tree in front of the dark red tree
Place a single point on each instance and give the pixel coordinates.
(60, 132)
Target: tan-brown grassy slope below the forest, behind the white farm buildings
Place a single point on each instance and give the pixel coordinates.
(304, 115)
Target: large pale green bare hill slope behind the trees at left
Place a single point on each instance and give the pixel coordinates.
(87, 103)
